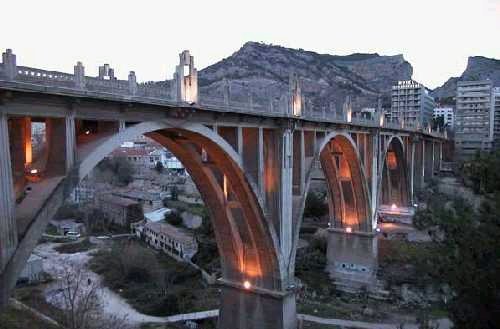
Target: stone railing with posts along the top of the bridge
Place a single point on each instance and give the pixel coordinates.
(164, 91)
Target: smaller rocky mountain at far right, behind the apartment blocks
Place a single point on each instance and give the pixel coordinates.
(478, 68)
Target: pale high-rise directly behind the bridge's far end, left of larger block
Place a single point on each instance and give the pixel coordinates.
(411, 103)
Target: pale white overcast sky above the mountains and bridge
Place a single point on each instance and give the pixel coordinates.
(435, 36)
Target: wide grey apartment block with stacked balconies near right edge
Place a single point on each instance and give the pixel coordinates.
(474, 118)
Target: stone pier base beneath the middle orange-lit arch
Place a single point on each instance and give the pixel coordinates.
(352, 259)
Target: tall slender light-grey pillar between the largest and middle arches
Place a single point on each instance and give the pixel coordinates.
(286, 200)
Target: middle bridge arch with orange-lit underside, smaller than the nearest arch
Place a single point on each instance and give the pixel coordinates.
(348, 197)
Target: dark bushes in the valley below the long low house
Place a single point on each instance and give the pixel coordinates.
(153, 283)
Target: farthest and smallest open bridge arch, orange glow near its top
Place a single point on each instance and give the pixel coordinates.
(392, 180)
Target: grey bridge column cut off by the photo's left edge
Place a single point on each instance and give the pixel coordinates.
(8, 229)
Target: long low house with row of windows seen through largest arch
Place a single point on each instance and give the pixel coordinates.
(172, 240)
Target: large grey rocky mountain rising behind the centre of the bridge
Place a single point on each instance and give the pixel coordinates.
(262, 71)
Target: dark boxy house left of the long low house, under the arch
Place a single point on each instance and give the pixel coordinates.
(120, 211)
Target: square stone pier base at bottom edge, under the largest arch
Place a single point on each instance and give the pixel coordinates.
(247, 309)
